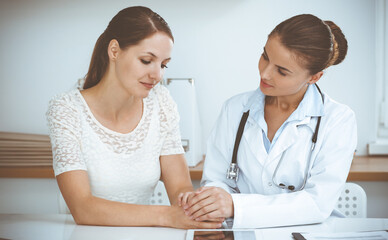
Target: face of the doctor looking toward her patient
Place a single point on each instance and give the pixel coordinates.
(281, 71)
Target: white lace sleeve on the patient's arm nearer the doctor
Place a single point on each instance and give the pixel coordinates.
(170, 123)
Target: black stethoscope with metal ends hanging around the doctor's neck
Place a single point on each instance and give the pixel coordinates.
(233, 171)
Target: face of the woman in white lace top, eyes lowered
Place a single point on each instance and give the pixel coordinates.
(140, 67)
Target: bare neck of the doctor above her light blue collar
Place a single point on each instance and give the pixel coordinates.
(288, 102)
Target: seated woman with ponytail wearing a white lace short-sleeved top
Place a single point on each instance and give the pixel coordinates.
(115, 138)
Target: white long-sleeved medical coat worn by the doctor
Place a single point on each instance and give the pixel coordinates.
(259, 202)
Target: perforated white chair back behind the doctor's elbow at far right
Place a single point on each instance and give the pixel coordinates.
(352, 202)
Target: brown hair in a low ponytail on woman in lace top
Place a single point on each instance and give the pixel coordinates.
(128, 27)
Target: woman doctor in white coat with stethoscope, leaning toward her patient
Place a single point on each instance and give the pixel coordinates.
(285, 177)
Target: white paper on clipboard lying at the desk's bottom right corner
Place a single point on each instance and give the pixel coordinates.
(373, 235)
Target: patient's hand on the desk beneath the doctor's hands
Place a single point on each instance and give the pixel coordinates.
(177, 218)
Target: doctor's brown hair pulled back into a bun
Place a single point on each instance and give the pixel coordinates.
(319, 44)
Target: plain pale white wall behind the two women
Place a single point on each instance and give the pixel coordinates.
(46, 46)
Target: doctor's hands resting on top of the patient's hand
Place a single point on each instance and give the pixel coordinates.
(209, 203)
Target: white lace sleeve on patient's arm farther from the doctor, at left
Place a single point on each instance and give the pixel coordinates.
(64, 126)
